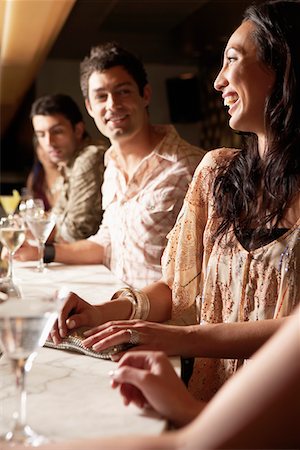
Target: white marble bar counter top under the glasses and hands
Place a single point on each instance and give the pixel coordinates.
(69, 394)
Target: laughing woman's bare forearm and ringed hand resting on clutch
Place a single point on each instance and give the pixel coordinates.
(229, 340)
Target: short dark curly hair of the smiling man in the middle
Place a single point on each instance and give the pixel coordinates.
(109, 55)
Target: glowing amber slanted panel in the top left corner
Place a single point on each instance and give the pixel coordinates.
(38, 22)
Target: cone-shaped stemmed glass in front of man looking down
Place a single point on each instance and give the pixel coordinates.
(41, 223)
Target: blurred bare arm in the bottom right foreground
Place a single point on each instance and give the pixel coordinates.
(260, 406)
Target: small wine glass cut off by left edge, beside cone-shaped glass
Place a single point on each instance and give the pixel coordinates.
(12, 236)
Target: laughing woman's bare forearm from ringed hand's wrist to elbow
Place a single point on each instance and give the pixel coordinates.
(228, 340)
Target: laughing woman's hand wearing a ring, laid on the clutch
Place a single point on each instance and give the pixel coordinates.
(150, 336)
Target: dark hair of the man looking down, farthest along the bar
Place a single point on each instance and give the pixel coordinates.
(50, 105)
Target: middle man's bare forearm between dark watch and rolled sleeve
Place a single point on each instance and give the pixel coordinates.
(79, 252)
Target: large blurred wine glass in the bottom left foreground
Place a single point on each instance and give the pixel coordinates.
(24, 327)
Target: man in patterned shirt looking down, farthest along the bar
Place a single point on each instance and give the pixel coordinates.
(60, 131)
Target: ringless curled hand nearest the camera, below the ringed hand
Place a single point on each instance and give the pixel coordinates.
(148, 379)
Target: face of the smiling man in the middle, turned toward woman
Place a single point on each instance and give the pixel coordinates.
(115, 103)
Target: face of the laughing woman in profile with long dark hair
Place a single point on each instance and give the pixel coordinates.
(245, 100)
